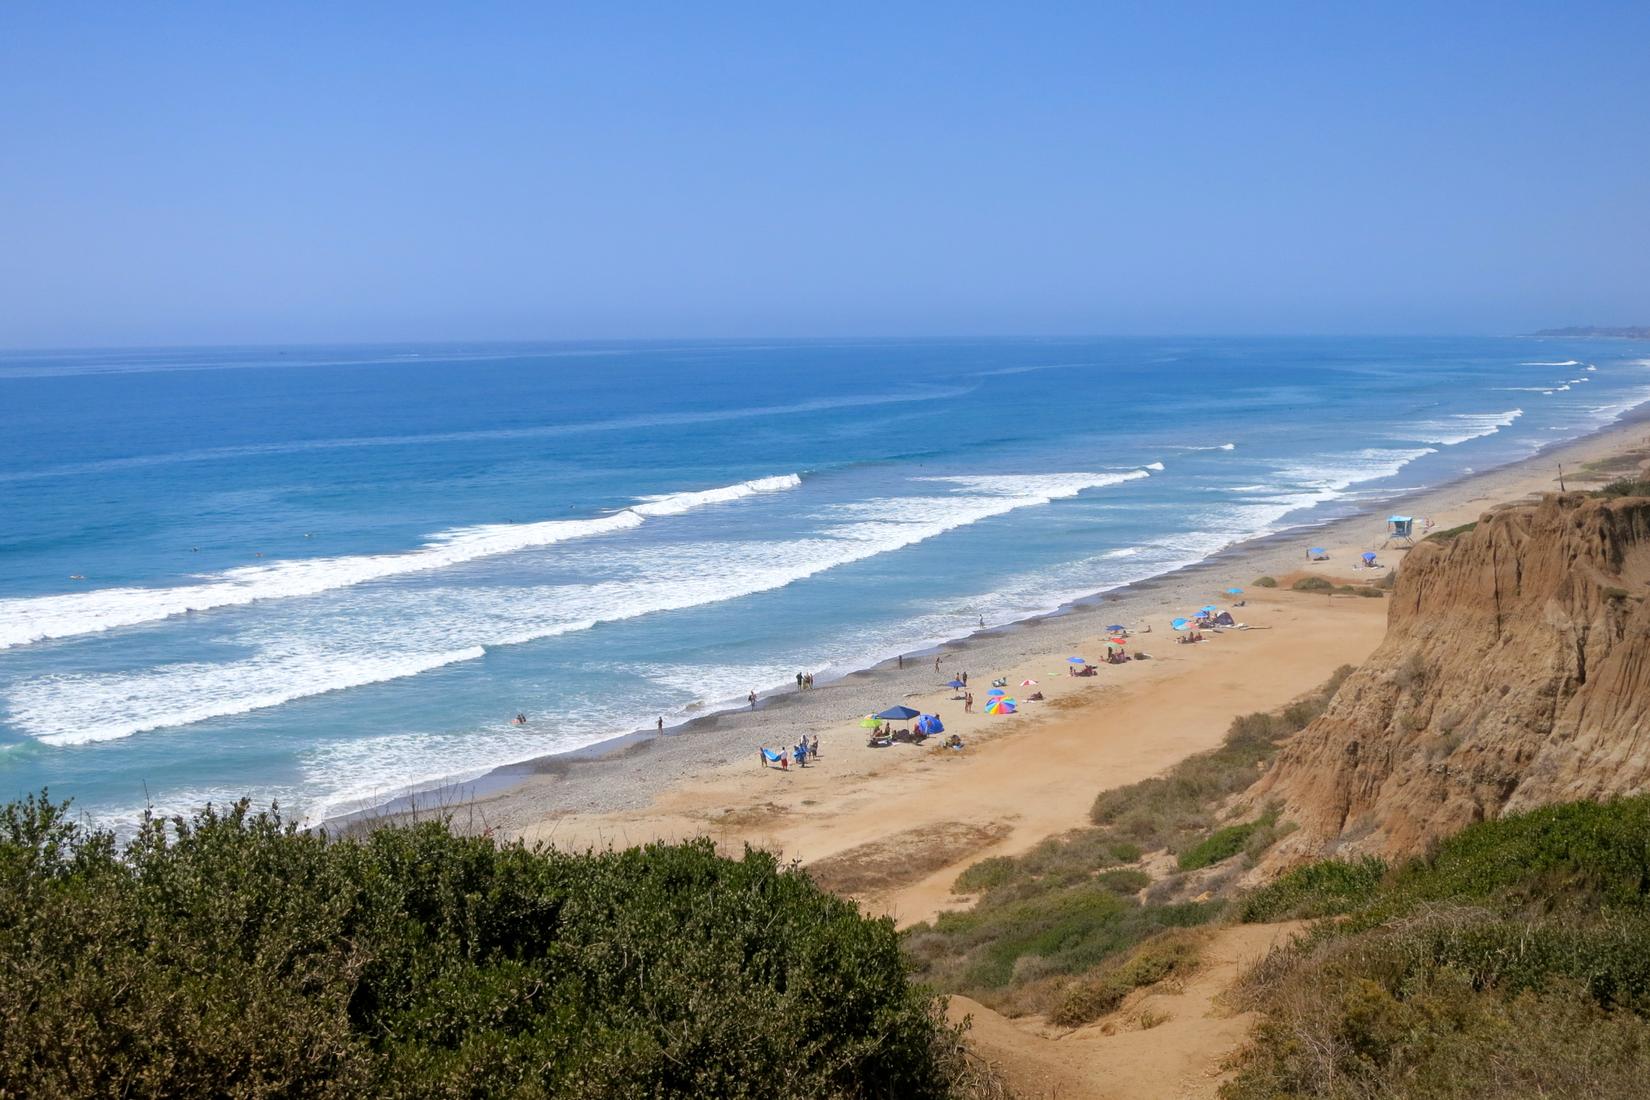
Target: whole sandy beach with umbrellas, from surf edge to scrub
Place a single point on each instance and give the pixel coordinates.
(895, 825)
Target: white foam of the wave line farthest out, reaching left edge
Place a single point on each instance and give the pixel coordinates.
(37, 619)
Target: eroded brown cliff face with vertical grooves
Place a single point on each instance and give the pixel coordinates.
(1516, 672)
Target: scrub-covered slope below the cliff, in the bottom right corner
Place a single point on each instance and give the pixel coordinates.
(1512, 961)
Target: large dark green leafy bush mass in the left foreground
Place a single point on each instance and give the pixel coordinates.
(235, 956)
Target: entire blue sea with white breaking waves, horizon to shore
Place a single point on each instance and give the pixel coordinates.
(332, 575)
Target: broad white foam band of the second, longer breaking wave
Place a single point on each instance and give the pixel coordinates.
(456, 624)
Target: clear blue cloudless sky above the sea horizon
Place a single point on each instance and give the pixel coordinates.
(262, 174)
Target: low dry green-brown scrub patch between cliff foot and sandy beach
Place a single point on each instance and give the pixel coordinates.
(1052, 931)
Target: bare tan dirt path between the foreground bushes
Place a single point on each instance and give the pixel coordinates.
(1116, 1060)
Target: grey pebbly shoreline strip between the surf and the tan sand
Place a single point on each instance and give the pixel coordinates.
(629, 771)
